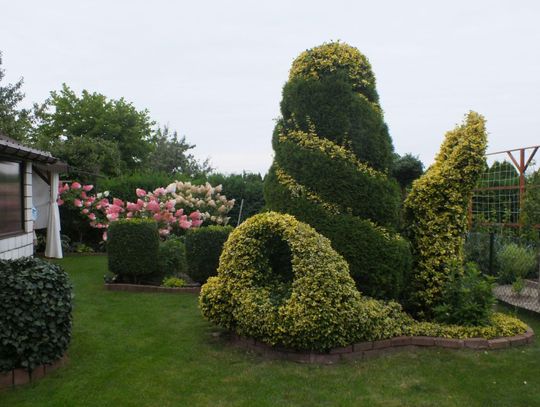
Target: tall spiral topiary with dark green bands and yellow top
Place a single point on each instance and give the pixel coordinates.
(332, 155)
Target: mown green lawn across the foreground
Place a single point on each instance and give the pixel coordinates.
(137, 349)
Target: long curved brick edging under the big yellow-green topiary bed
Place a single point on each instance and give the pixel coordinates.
(366, 350)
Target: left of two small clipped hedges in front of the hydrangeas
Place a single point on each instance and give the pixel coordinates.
(133, 246)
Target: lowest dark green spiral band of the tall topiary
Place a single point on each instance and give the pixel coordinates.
(378, 259)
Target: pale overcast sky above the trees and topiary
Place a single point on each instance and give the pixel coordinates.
(214, 70)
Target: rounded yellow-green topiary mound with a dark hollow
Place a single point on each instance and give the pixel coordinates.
(300, 296)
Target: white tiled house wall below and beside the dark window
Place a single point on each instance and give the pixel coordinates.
(21, 245)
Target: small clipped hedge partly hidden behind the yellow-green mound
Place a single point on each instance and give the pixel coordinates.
(203, 247)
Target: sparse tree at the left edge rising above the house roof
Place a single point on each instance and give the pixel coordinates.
(15, 122)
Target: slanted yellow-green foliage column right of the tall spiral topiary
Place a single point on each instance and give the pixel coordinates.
(436, 211)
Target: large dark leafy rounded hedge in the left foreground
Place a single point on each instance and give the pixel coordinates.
(36, 319)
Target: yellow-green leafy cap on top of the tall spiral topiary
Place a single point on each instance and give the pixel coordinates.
(336, 56)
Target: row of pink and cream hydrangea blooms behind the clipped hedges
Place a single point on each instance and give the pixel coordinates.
(179, 205)
